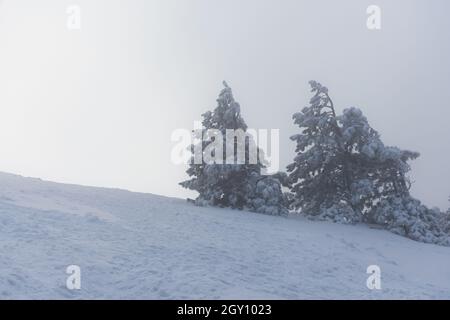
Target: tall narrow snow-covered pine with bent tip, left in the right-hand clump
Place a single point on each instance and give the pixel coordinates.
(320, 174)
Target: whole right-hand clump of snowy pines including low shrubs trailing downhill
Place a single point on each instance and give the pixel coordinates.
(343, 172)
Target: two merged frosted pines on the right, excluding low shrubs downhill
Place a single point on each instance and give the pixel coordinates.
(342, 167)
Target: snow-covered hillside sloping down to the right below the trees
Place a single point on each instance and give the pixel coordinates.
(141, 246)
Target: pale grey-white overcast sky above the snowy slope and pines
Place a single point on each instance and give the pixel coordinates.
(97, 106)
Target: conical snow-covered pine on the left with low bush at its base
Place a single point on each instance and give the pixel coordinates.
(234, 185)
